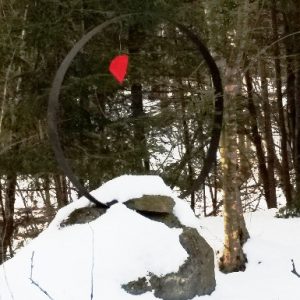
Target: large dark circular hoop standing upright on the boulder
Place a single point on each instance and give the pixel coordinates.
(53, 106)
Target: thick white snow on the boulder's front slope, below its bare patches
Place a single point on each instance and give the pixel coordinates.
(126, 248)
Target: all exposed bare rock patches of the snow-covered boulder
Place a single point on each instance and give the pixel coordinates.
(195, 276)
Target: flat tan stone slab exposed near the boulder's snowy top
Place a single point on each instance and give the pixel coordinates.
(152, 203)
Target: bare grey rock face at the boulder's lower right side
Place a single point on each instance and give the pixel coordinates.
(194, 278)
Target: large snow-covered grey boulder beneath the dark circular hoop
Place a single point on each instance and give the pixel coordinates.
(119, 253)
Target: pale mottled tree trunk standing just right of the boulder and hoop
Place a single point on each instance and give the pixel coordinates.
(236, 234)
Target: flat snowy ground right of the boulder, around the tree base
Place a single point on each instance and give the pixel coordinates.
(273, 243)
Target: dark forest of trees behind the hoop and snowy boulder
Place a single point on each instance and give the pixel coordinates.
(159, 121)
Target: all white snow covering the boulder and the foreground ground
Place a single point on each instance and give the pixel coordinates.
(70, 263)
